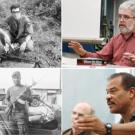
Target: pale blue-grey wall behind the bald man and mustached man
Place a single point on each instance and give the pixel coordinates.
(85, 85)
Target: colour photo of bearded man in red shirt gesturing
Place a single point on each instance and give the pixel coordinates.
(98, 33)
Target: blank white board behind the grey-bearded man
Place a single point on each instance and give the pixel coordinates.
(81, 18)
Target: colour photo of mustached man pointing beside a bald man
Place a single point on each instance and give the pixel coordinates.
(98, 101)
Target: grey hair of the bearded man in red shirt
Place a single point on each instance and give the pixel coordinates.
(128, 4)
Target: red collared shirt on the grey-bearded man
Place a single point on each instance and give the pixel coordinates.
(113, 51)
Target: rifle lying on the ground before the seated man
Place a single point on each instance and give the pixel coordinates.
(5, 56)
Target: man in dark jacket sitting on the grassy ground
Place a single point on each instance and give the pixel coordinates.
(19, 29)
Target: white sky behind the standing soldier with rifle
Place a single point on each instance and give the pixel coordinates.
(48, 78)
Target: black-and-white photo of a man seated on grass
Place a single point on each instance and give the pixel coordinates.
(30, 33)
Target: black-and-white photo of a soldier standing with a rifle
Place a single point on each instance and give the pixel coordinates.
(30, 101)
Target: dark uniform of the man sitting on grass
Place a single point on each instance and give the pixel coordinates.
(17, 31)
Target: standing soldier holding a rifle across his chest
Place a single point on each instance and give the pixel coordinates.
(18, 97)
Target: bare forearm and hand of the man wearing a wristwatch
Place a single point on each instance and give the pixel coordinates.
(92, 123)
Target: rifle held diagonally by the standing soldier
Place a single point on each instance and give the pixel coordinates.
(8, 110)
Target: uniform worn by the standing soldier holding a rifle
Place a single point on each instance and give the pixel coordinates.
(19, 115)
